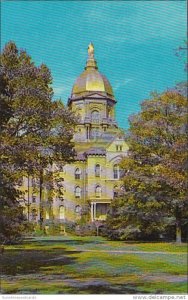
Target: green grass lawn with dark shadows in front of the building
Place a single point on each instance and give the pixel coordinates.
(93, 265)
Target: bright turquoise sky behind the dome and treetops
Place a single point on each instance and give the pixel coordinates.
(134, 41)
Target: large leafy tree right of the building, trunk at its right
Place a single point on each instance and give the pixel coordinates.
(155, 180)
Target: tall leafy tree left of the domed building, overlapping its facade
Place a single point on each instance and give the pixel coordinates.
(35, 131)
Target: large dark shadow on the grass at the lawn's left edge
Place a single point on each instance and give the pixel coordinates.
(20, 261)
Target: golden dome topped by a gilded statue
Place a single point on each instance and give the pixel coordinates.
(91, 80)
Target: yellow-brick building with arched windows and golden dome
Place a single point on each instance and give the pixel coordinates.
(87, 186)
